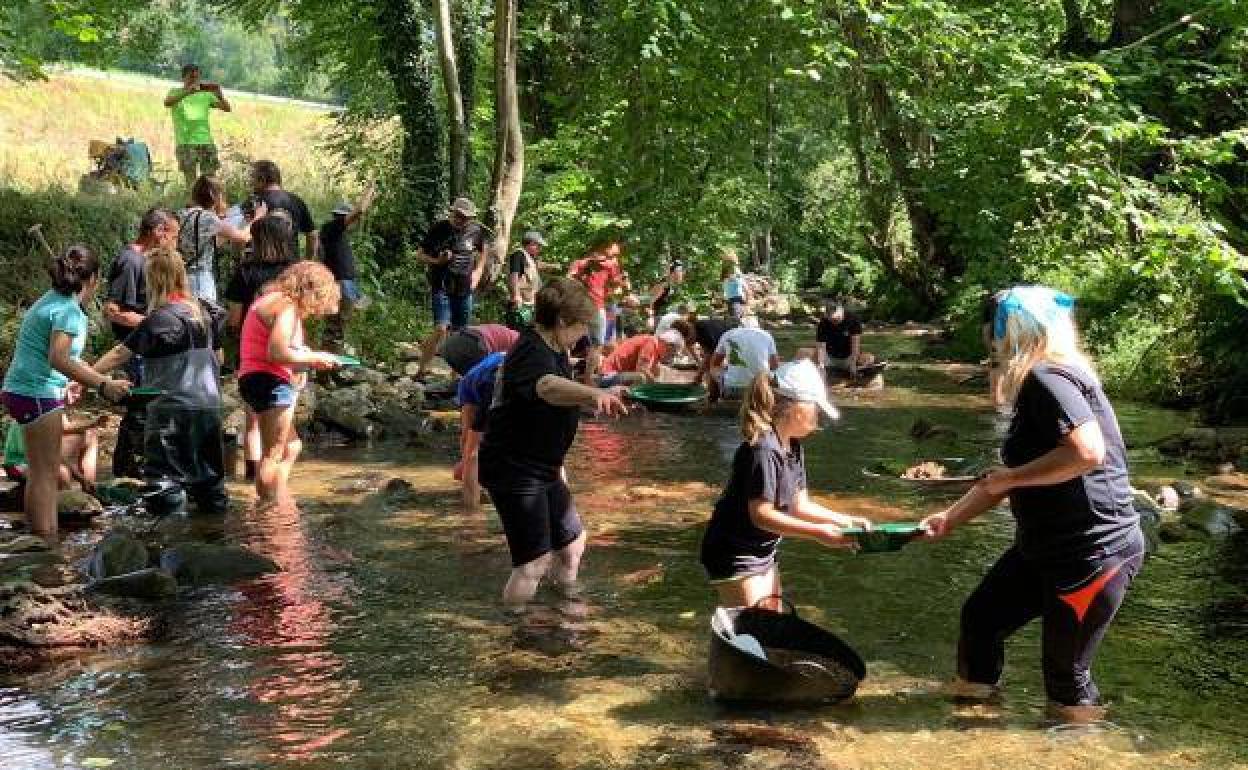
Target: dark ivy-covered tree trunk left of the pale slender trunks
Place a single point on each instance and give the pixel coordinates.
(411, 71)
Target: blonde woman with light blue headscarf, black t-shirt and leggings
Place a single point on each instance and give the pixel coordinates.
(1079, 545)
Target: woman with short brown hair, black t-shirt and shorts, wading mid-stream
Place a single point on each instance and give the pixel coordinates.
(532, 424)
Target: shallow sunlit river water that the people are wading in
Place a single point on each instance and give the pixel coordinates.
(383, 645)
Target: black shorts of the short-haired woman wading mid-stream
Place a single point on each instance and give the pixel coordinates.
(539, 517)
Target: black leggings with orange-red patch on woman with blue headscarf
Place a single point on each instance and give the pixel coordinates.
(1076, 602)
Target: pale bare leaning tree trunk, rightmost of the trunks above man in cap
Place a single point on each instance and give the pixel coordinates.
(509, 177)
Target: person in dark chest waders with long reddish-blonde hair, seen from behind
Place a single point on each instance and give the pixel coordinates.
(180, 344)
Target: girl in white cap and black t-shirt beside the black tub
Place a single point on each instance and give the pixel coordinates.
(767, 496)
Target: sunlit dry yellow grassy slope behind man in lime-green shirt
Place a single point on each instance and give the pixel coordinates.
(46, 129)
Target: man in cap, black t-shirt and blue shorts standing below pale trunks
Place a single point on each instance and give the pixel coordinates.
(455, 250)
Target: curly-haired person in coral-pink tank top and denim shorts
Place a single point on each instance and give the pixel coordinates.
(275, 361)
